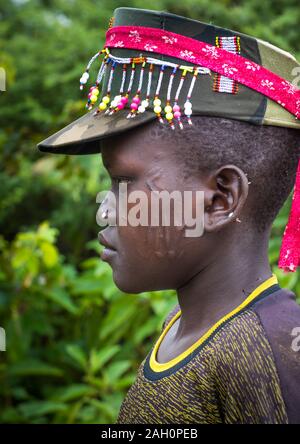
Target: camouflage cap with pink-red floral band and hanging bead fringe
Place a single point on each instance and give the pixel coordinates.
(216, 92)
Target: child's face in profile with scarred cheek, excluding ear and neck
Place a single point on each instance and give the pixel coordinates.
(145, 258)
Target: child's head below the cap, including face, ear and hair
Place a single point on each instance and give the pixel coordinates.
(245, 171)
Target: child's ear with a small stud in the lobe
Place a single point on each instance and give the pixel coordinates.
(224, 197)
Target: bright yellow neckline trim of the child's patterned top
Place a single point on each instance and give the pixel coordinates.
(158, 367)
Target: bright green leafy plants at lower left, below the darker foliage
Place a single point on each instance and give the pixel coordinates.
(73, 340)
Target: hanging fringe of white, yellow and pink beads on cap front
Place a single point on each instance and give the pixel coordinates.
(138, 104)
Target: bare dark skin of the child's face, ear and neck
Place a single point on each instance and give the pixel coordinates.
(213, 273)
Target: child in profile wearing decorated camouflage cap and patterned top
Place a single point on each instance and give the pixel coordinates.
(228, 351)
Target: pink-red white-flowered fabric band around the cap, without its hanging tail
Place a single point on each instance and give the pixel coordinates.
(217, 59)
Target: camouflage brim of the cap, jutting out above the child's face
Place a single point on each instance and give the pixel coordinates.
(84, 134)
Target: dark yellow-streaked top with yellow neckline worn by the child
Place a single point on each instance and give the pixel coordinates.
(243, 370)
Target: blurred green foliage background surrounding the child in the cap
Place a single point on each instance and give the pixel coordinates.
(74, 341)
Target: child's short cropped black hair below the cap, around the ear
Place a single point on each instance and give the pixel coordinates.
(267, 154)
